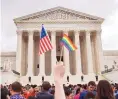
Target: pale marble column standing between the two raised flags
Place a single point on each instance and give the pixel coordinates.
(53, 51)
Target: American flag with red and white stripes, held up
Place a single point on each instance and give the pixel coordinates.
(44, 44)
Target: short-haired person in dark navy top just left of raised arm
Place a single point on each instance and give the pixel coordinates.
(44, 94)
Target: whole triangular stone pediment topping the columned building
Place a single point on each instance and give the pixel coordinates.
(57, 13)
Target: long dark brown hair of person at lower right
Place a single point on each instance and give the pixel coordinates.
(104, 90)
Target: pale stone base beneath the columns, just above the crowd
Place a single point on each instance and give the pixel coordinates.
(73, 79)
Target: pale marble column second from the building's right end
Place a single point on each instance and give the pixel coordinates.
(89, 52)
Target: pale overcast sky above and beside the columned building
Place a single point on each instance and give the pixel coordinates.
(107, 9)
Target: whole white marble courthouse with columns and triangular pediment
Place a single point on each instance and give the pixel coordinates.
(83, 29)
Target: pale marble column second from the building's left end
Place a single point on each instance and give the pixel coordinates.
(30, 53)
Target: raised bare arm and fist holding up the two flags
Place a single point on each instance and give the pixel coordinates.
(59, 71)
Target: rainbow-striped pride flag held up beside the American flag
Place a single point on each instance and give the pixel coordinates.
(66, 41)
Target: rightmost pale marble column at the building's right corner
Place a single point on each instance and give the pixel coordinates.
(99, 51)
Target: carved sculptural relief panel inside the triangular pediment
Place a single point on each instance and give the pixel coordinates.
(58, 15)
